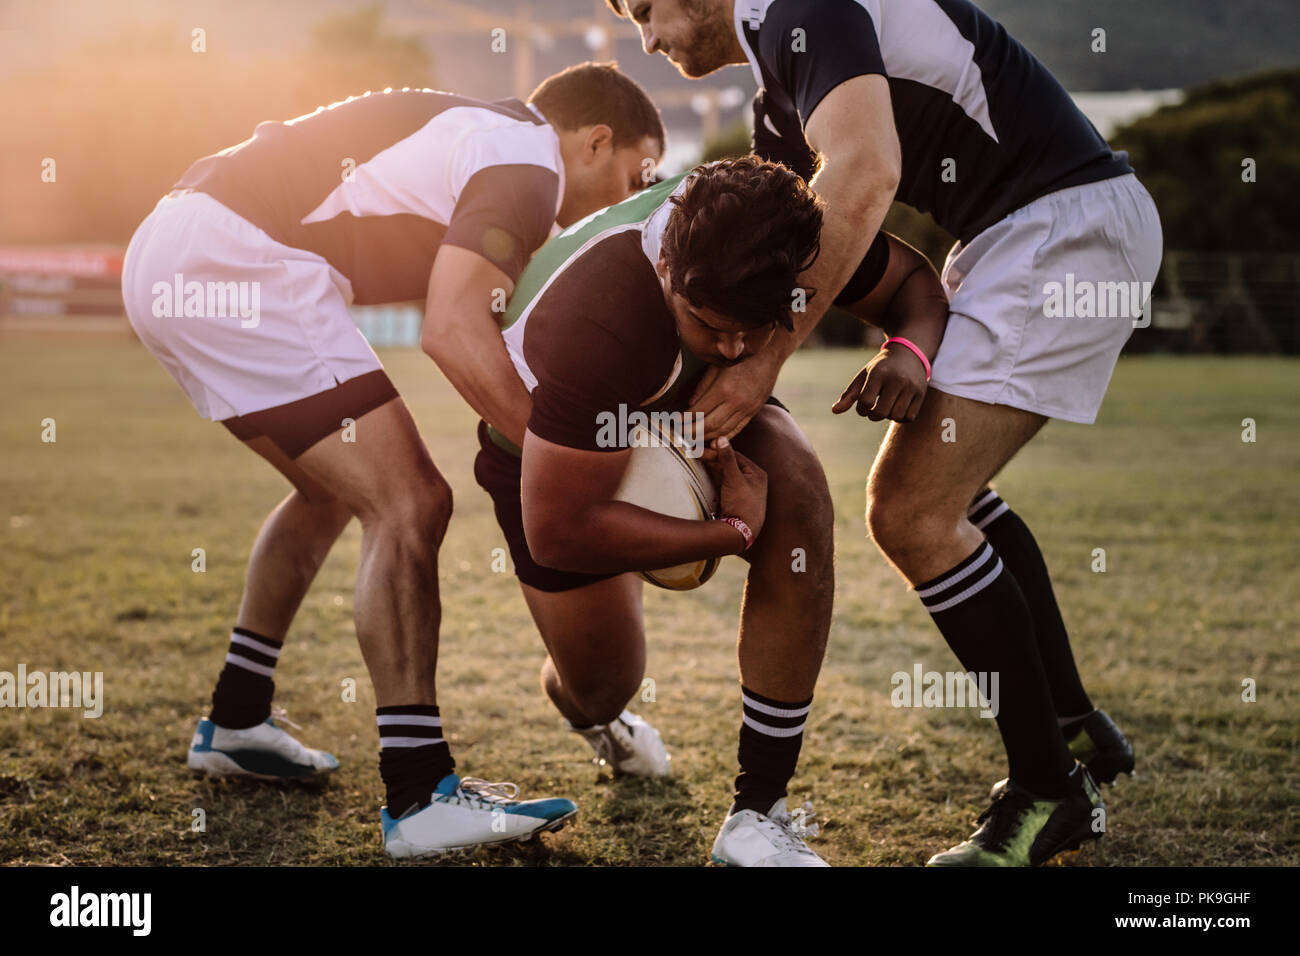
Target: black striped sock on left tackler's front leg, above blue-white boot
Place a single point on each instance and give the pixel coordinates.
(414, 755)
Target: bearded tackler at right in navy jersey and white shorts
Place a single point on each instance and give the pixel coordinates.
(934, 103)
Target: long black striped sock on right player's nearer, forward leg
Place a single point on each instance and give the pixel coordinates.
(982, 615)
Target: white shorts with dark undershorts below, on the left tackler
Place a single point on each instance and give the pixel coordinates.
(280, 334)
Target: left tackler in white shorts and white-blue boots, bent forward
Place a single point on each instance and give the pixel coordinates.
(391, 197)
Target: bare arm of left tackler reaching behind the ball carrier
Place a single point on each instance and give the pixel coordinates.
(462, 335)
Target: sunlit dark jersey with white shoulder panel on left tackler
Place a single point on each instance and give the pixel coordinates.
(376, 184)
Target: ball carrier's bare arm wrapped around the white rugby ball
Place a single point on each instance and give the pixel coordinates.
(573, 522)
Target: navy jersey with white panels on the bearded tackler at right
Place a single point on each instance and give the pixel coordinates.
(985, 128)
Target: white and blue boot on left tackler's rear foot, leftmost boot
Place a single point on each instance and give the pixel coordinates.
(265, 752)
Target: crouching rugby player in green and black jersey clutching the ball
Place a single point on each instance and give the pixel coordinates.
(629, 312)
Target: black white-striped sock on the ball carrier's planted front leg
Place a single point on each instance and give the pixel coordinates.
(772, 736)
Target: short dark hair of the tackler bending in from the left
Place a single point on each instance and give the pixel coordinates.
(600, 93)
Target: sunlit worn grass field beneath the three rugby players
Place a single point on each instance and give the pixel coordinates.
(98, 529)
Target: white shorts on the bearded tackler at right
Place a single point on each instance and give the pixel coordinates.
(1032, 300)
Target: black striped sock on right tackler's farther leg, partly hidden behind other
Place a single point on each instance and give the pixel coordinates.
(1020, 552)
